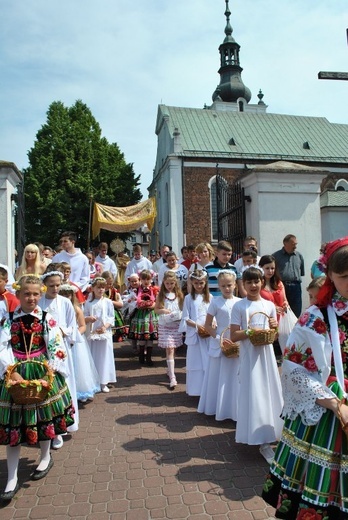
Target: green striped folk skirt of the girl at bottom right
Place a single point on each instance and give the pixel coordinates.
(309, 476)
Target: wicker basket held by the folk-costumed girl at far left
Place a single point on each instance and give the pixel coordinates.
(30, 392)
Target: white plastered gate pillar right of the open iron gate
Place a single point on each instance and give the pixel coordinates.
(282, 204)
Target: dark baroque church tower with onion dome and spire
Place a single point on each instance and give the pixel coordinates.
(231, 87)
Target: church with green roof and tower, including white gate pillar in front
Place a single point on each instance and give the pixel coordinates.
(233, 169)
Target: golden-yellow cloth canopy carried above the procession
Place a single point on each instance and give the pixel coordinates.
(124, 219)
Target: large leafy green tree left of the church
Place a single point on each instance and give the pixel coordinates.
(69, 164)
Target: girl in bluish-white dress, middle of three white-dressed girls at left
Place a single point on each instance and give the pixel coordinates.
(86, 375)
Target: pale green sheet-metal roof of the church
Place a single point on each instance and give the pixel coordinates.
(207, 133)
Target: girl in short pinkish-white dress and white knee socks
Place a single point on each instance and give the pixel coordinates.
(169, 303)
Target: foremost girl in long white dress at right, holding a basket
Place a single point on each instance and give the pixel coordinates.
(260, 398)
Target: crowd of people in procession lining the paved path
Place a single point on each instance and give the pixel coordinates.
(66, 310)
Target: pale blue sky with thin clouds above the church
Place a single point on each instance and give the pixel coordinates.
(123, 58)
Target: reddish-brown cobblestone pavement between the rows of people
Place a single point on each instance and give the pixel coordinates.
(142, 452)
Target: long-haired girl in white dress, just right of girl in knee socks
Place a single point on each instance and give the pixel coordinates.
(192, 323)
